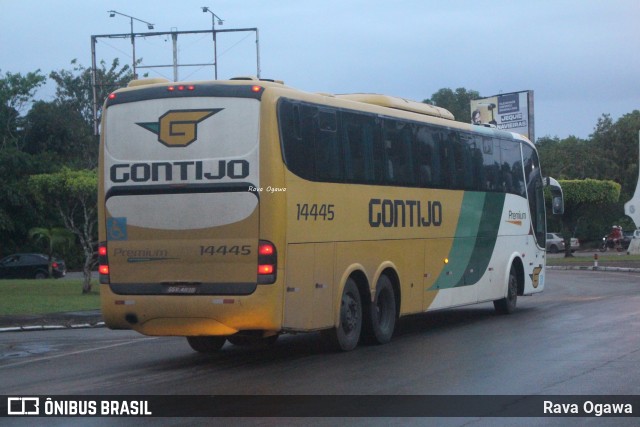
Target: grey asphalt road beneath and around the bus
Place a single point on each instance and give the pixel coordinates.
(579, 337)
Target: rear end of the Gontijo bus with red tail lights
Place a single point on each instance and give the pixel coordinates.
(179, 215)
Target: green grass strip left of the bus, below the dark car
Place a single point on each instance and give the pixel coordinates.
(46, 296)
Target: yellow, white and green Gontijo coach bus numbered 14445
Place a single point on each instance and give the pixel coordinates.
(239, 210)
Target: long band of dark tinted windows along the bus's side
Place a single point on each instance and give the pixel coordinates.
(321, 143)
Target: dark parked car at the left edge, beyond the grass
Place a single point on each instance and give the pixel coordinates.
(30, 266)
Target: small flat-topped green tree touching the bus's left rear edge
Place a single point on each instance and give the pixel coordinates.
(73, 194)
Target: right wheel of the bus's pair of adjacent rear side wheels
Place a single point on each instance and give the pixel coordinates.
(383, 312)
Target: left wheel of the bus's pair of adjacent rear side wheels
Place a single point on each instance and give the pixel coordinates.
(346, 336)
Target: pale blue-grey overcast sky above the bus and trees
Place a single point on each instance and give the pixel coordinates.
(581, 58)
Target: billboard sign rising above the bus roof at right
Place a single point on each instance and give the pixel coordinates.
(511, 112)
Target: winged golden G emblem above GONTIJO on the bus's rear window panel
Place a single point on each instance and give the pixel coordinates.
(178, 128)
